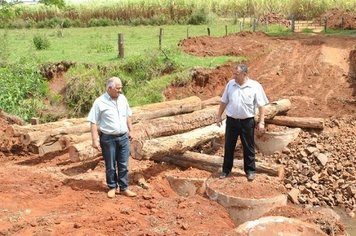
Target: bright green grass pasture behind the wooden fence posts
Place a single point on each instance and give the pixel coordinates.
(99, 45)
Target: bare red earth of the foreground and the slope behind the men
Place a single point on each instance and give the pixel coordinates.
(51, 196)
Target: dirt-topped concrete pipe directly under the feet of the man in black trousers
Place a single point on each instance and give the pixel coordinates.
(245, 200)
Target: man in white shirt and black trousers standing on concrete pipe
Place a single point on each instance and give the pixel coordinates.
(241, 97)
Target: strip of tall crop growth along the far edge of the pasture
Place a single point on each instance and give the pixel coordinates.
(53, 13)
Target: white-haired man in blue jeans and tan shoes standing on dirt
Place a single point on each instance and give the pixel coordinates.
(110, 122)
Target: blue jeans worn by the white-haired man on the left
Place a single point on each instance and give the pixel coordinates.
(116, 151)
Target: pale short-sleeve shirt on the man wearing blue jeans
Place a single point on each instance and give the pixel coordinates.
(110, 115)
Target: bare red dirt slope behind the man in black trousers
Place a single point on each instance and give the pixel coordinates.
(311, 71)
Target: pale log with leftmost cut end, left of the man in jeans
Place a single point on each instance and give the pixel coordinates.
(38, 138)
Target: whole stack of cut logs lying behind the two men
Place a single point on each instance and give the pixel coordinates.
(160, 131)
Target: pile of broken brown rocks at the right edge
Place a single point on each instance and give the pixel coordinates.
(321, 167)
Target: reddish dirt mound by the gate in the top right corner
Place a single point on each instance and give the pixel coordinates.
(338, 19)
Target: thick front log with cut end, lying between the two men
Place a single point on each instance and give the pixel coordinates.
(175, 144)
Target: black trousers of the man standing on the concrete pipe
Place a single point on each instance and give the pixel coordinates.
(245, 128)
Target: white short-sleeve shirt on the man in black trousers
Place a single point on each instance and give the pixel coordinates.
(242, 101)
